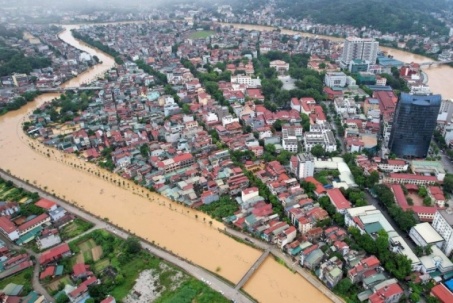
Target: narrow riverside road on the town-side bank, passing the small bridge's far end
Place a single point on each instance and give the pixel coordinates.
(289, 262)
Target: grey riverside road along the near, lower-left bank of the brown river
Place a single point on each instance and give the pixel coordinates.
(199, 273)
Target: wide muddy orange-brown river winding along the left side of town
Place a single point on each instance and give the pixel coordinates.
(183, 231)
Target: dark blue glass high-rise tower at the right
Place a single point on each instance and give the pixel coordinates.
(414, 122)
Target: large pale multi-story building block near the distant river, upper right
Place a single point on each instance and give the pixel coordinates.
(358, 48)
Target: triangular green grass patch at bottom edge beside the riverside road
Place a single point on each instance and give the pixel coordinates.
(192, 291)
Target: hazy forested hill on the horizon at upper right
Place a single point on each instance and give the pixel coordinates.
(402, 16)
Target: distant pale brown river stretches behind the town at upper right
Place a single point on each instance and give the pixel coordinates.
(439, 77)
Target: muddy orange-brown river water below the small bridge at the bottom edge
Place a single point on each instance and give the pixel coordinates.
(281, 285)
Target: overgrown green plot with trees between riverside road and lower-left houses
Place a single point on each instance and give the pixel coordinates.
(121, 263)
